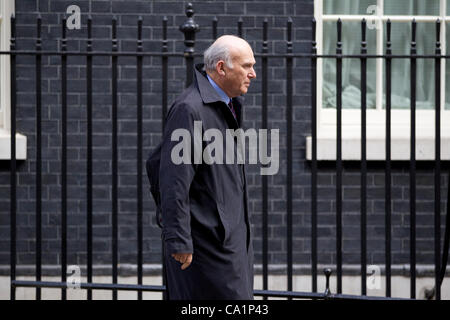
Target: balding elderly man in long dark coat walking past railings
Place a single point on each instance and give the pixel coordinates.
(205, 220)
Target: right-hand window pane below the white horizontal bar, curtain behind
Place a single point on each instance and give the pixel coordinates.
(401, 71)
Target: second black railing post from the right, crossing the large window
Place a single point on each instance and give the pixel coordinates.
(412, 167)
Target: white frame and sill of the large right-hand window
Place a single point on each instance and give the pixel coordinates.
(351, 118)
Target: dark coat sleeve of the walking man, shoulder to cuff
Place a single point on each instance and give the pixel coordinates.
(175, 181)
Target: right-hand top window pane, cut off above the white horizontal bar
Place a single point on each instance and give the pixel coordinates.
(411, 7)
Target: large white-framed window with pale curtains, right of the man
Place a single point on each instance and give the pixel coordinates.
(376, 13)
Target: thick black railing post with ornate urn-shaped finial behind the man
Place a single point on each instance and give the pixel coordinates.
(189, 28)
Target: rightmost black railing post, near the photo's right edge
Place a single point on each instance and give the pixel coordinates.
(437, 165)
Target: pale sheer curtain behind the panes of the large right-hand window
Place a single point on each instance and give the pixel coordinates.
(401, 43)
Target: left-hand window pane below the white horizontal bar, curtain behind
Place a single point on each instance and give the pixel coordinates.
(351, 68)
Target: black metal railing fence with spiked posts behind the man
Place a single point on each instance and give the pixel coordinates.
(189, 29)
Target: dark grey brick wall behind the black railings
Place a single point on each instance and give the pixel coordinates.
(152, 12)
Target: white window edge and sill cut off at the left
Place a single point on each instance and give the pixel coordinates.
(6, 10)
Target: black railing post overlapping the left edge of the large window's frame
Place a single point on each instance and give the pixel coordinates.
(314, 159)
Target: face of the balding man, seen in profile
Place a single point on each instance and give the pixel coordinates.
(237, 79)
